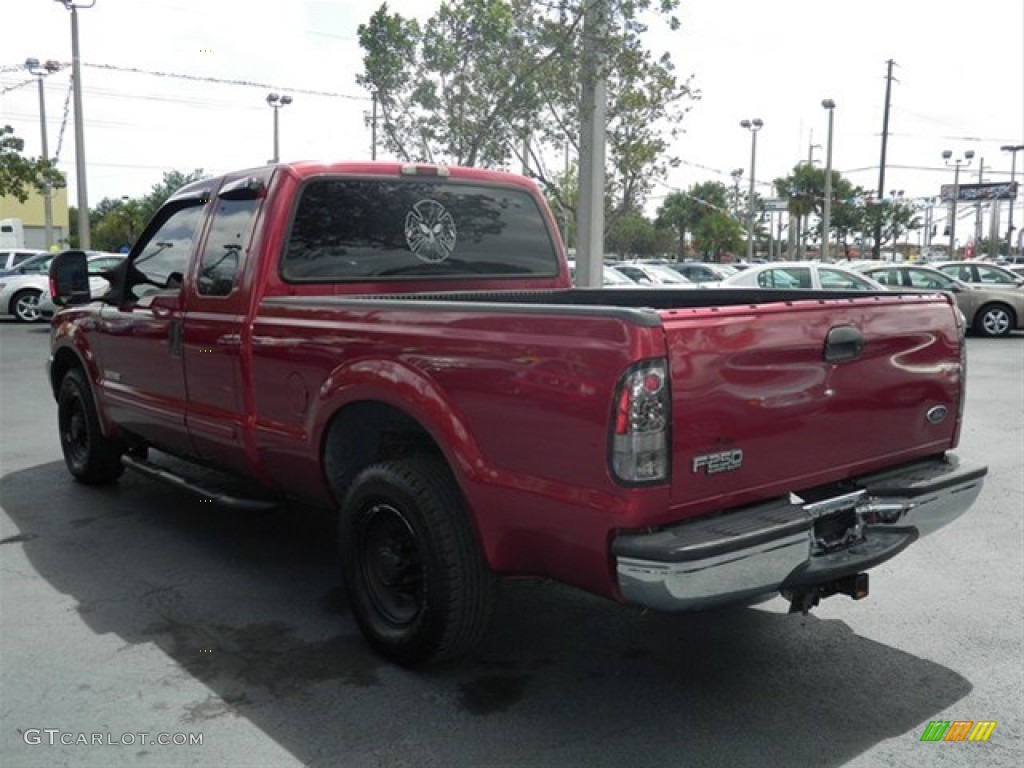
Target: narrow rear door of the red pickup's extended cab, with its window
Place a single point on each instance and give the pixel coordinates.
(215, 326)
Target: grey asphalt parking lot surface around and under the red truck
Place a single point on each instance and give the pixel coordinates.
(135, 614)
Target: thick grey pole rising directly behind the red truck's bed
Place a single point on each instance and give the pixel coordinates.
(590, 207)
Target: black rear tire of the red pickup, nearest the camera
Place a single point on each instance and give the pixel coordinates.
(416, 581)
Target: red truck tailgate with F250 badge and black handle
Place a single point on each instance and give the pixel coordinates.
(777, 398)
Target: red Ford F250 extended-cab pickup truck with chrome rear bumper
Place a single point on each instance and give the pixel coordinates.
(403, 346)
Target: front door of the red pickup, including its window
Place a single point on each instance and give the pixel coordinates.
(141, 338)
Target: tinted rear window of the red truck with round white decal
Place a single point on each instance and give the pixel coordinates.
(361, 229)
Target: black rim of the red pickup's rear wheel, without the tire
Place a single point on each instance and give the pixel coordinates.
(392, 566)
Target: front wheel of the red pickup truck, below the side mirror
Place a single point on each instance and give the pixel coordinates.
(92, 457)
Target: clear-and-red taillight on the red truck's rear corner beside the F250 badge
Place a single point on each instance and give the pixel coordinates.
(641, 421)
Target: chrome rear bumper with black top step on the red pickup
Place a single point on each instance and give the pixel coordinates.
(788, 544)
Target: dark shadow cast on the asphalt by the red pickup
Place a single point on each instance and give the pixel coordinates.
(250, 607)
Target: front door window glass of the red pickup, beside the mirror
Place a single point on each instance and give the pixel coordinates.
(163, 261)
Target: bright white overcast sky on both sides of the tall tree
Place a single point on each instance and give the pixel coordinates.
(960, 86)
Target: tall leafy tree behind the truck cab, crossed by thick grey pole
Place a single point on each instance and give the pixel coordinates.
(442, 98)
